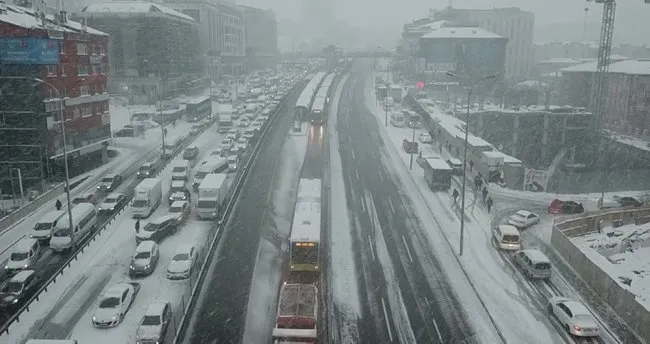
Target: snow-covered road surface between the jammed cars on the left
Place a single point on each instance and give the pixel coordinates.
(68, 313)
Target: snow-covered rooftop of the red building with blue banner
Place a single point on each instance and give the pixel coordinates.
(27, 18)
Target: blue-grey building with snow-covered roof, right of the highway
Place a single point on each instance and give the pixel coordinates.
(468, 51)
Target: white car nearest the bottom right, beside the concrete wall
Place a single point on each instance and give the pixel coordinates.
(574, 317)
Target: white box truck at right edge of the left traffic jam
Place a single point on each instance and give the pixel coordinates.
(212, 195)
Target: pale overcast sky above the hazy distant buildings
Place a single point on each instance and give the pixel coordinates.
(388, 16)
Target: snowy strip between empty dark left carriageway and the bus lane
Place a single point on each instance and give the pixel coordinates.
(270, 261)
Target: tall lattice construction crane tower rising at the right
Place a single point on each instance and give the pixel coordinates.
(600, 81)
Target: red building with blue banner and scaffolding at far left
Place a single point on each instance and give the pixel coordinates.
(50, 66)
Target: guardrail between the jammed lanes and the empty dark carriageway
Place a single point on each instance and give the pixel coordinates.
(180, 333)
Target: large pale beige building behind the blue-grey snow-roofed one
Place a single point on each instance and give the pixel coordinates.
(516, 25)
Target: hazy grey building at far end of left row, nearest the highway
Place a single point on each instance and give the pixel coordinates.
(261, 30)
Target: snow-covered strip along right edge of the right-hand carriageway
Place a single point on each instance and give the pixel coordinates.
(492, 287)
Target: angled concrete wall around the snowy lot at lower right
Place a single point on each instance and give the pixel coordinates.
(621, 300)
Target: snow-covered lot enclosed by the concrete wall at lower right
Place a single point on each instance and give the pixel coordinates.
(624, 254)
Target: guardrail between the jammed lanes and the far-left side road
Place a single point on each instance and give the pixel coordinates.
(80, 248)
